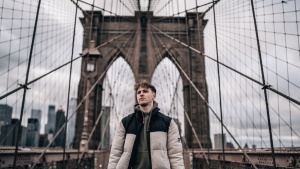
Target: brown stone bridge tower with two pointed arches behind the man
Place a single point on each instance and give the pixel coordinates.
(143, 60)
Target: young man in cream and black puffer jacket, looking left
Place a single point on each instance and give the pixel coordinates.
(146, 138)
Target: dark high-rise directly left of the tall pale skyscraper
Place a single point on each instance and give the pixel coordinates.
(59, 122)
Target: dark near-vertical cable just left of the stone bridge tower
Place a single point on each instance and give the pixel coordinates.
(69, 87)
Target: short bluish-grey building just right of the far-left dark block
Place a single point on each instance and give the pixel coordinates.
(33, 134)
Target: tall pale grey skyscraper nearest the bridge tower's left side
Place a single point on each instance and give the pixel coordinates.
(71, 123)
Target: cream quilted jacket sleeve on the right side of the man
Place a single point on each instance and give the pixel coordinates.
(175, 147)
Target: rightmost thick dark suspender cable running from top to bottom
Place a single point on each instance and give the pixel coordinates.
(264, 84)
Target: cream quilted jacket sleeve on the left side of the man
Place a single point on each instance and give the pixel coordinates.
(117, 147)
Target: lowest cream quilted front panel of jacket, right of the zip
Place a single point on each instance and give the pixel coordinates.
(160, 159)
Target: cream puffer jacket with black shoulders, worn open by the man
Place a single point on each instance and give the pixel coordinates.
(163, 140)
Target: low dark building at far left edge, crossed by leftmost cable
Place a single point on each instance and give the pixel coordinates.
(8, 134)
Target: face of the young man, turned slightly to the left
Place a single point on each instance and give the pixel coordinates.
(145, 96)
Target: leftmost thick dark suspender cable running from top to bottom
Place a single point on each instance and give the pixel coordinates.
(25, 85)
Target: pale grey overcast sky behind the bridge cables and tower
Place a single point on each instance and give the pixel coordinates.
(243, 103)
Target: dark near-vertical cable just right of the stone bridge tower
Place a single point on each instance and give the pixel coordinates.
(219, 83)
